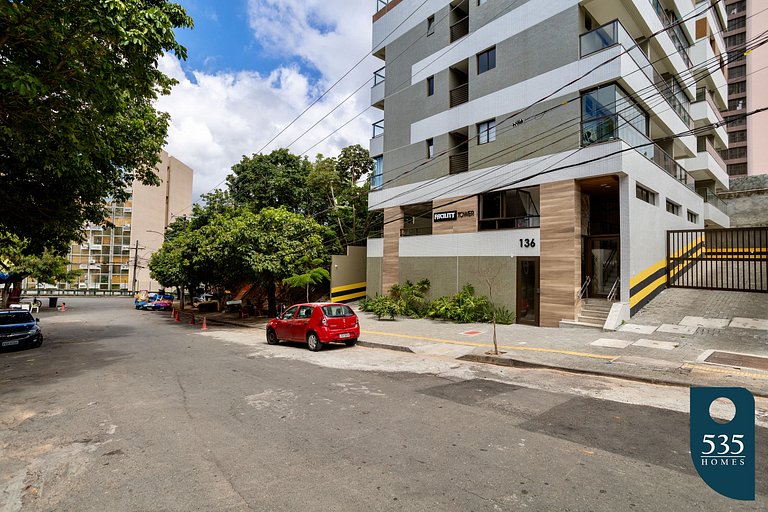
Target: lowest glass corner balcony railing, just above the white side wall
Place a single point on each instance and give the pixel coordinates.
(614, 127)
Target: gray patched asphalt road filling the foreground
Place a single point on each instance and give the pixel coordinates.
(127, 410)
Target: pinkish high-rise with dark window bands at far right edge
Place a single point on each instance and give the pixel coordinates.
(747, 88)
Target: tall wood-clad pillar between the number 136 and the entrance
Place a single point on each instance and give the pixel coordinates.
(560, 251)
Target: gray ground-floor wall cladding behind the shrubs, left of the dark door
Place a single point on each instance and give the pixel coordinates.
(443, 272)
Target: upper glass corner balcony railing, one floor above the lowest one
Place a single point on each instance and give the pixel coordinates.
(614, 33)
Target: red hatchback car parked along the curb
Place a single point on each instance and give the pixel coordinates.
(315, 323)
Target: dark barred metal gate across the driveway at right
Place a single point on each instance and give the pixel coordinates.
(718, 259)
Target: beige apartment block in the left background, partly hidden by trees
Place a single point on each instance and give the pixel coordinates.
(114, 260)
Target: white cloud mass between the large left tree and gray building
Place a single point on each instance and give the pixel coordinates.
(218, 118)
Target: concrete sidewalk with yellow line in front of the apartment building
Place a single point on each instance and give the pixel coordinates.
(662, 354)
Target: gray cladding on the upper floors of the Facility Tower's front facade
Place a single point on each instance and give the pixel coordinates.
(556, 45)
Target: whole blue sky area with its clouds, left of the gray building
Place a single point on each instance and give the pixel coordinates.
(253, 66)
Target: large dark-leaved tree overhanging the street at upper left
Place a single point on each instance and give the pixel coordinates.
(77, 84)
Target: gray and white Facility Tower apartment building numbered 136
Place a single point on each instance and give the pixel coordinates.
(544, 145)
